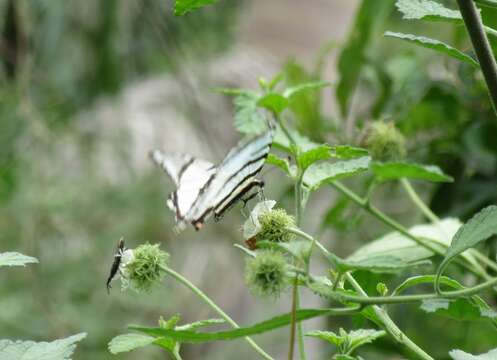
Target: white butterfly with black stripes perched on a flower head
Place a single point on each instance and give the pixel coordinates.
(204, 189)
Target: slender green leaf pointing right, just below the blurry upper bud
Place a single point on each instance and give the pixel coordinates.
(398, 170)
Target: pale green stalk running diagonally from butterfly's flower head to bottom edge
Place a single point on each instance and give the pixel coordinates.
(388, 323)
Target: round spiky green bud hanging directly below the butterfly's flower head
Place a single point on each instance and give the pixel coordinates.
(266, 274)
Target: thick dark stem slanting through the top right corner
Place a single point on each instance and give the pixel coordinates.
(474, 25)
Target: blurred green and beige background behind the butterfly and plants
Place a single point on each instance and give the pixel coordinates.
(87, 88)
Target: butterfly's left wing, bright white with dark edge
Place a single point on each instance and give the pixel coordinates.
(190, 176)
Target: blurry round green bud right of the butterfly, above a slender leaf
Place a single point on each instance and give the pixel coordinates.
(384, 141)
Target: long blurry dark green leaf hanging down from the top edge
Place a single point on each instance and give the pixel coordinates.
(354, 55)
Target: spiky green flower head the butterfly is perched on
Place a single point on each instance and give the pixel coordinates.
(274, 226)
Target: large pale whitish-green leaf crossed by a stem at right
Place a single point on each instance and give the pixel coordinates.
(400, 246)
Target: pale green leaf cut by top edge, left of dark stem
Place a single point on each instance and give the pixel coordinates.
(427, 10)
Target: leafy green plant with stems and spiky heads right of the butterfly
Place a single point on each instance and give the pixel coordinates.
(312, 166)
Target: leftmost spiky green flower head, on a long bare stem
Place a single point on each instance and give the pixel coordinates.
(145, 267)
